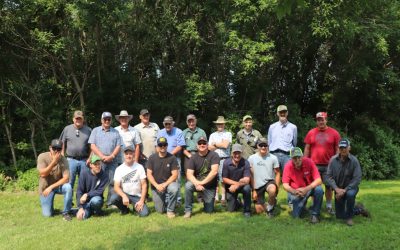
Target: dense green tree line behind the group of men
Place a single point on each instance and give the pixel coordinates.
(210, 58)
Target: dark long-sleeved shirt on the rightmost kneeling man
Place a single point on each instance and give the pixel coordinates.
(346, 174)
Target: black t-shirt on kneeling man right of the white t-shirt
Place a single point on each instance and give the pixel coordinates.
(162, 167)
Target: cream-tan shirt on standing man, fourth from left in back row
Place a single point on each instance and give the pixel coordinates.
(148, 136)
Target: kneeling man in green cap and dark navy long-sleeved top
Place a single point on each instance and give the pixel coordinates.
(89, 194)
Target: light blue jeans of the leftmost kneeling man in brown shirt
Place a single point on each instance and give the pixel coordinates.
(48, 201)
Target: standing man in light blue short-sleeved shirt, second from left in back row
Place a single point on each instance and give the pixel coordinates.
(105, 142)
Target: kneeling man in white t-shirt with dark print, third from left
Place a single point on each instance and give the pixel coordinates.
(130, 185)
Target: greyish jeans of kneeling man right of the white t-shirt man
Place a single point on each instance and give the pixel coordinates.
(160, 203)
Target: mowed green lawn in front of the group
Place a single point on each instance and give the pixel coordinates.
(23, 227)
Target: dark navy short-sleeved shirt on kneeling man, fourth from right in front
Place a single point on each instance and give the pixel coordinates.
(235, 173)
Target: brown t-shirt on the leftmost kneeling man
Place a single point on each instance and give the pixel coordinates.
(55, 174)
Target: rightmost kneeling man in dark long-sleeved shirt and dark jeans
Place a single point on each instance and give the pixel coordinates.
(344, 176)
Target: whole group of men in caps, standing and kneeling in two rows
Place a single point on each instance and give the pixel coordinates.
(127, 159)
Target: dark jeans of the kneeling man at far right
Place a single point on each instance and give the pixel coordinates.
(345, 206)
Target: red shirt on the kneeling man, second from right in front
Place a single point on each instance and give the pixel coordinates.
(302, 177)
